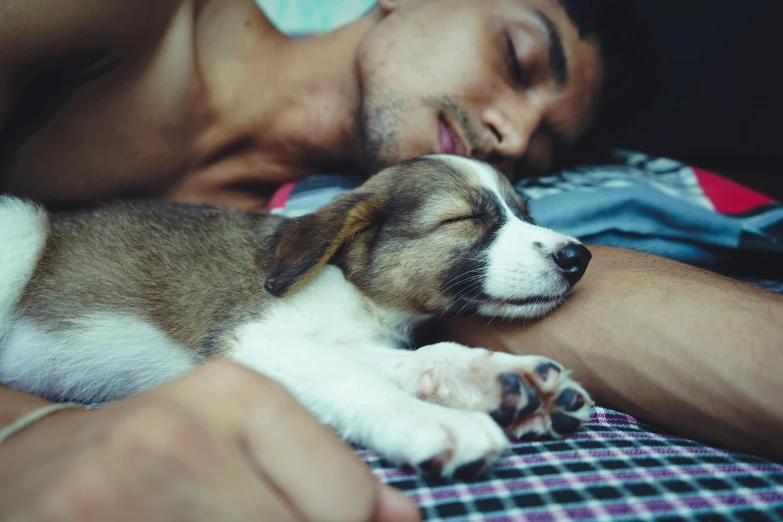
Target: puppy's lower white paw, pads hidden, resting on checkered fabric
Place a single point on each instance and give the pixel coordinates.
(447, 442)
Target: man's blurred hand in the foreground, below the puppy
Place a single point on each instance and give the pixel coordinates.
(222, 443)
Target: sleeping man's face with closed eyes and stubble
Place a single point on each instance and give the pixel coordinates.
(504, 81)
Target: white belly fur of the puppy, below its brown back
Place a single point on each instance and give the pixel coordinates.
(99, 357)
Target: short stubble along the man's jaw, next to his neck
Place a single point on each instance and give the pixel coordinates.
(378, 118)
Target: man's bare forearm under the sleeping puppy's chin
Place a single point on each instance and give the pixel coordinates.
(690, 351)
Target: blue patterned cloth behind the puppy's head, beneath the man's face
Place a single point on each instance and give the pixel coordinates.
(638, 202)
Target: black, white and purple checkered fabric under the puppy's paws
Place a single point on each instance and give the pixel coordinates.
(615, 468)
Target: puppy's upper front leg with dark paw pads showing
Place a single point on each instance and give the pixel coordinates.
(526, 395)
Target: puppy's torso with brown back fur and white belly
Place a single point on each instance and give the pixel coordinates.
(133, 294)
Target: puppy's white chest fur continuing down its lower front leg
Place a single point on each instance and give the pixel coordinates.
(347, 342)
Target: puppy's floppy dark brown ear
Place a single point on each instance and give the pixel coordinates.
(302, 246)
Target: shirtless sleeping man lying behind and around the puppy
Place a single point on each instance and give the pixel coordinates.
(206, 102)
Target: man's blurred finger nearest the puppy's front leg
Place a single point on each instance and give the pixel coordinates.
(318, 474)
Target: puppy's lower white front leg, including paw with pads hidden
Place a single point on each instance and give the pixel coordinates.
(364, 407)
